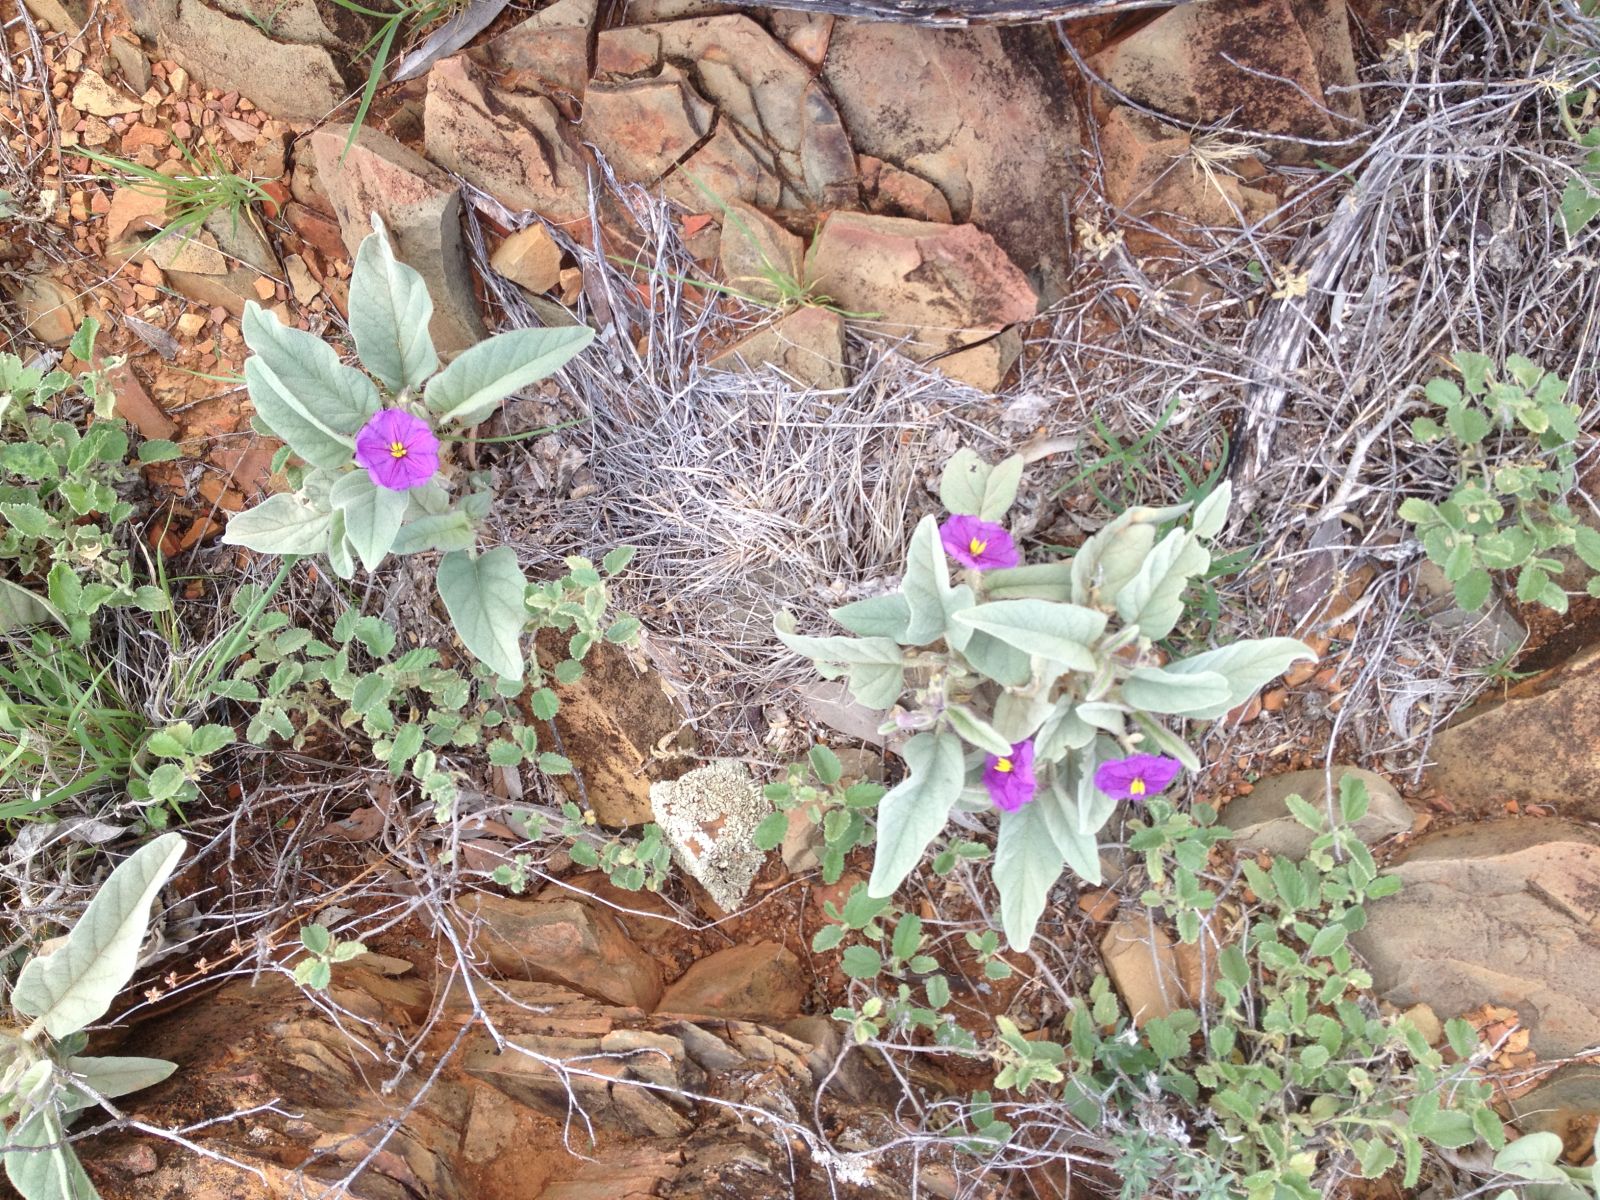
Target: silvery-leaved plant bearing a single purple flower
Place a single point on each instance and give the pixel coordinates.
(370, 460)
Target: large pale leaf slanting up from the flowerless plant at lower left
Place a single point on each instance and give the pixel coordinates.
(76, 983)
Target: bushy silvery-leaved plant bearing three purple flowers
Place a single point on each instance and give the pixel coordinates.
(1034, 690)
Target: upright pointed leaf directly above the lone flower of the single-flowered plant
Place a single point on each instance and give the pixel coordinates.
(390, 316)
